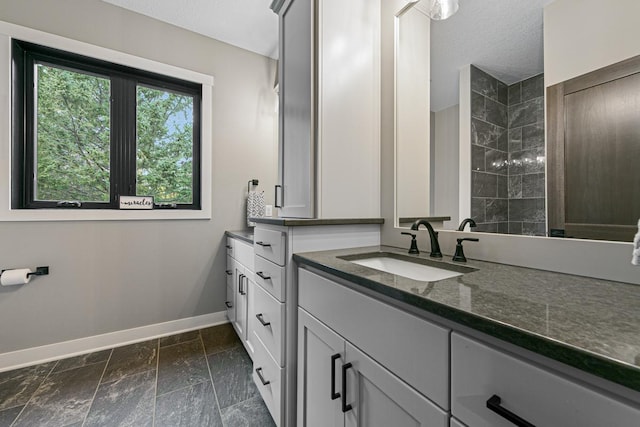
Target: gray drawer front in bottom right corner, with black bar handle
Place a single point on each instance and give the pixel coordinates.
(542, 398)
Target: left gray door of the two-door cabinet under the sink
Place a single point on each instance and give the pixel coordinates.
(320, 358)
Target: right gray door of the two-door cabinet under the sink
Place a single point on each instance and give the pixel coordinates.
(380, 399)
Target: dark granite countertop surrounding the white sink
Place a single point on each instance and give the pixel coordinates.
(590, 324)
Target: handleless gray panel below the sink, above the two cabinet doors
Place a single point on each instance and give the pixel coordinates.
(415, 350)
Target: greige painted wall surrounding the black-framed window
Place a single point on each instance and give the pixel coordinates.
(113, 275)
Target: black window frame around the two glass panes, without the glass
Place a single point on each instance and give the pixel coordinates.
(124, 81)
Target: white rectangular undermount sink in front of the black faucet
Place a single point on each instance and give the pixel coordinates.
(420, 269)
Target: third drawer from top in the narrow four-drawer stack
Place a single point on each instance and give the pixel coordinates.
(268, 322)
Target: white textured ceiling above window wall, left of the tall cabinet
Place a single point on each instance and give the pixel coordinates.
(248, 24)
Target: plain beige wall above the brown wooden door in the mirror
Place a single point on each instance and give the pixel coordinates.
(584, 35)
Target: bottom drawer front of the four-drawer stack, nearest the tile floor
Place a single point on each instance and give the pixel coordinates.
(273, 375)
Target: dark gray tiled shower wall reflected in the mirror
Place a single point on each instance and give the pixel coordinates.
(507, 154)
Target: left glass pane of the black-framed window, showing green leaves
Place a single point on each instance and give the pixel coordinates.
(72, 132)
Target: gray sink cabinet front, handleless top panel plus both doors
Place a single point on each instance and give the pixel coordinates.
(364, 363)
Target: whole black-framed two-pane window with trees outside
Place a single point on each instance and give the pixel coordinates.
(87, 131)
